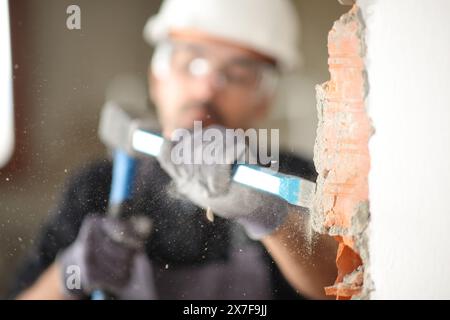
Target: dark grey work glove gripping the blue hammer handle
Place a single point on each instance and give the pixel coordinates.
(109, 254)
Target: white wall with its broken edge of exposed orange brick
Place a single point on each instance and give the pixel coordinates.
(386, 108)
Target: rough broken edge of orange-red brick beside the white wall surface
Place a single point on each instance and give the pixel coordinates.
(341, 151)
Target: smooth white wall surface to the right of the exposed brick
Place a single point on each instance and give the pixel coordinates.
(408, 63)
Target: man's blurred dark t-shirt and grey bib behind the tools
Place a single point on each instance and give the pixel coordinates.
(192, 258)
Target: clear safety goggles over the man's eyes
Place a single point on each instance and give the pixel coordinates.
(246, 76)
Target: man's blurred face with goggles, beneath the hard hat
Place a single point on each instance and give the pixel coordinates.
(210, 81)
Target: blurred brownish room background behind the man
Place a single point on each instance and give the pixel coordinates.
(60, 81)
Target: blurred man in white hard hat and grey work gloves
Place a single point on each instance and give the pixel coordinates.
(217, 62)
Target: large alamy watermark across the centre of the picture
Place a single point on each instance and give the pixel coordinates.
(217, 145)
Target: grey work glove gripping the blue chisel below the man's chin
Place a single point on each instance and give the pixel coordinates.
(211, 185)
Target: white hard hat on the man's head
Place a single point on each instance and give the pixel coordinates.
(270, 27)
